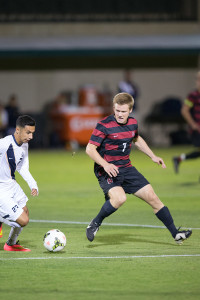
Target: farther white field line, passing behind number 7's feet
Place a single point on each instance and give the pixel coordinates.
(106, 224)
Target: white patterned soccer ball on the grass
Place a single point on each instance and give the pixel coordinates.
(54, 240)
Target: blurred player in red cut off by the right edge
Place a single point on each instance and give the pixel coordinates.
(191, 113)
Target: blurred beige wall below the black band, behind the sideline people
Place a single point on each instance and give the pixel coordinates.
(35, 88)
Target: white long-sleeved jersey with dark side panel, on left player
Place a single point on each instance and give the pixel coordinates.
(14, 157)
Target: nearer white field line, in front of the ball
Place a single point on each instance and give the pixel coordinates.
(101, 257)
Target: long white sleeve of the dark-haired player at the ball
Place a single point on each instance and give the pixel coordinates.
(23, 170)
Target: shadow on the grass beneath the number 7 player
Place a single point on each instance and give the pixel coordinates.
(119, 239)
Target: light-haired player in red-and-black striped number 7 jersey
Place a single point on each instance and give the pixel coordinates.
(110, 147)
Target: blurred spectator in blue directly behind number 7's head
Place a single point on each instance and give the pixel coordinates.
(128, 86)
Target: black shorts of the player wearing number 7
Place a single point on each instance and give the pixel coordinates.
(128, 178)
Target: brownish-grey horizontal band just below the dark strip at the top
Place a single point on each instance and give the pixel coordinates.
(79, 29)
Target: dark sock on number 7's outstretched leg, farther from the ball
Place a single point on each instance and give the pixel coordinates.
(164, 215)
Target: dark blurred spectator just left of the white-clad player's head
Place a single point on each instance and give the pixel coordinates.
(13, 113)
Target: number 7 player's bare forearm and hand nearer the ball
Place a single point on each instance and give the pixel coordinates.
(92, 152)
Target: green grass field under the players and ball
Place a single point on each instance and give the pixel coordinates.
(123, 262)
